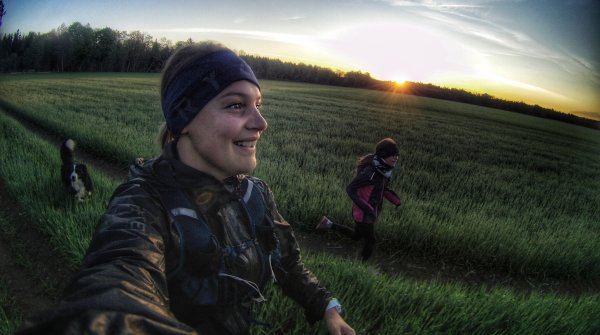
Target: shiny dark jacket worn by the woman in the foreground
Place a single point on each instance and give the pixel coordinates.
(124, 285)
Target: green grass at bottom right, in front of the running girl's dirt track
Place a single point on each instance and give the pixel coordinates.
(379, 304)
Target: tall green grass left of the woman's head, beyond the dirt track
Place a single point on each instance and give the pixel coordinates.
(91, 110)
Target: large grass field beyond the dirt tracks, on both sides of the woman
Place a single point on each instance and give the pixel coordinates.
(479, 185)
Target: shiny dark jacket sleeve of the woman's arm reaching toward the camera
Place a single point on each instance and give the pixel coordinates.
(121, 286)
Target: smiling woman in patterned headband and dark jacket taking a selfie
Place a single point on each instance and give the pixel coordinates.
(188, 243)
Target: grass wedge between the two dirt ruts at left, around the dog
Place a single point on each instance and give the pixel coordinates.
(30, 170)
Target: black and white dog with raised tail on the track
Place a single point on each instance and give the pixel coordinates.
(75, 176)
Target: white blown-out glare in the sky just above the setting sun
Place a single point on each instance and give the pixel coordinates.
(400, 52)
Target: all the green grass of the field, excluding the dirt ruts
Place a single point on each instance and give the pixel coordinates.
(495, 189)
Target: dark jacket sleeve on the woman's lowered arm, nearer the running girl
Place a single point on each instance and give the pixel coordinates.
(295, 280)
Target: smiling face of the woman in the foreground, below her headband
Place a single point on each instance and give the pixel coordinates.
(221, 139)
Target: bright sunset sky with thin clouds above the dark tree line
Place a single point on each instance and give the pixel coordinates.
(544, 52)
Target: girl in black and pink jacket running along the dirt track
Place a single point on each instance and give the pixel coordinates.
(367, 191)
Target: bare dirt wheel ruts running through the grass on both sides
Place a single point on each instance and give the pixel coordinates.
(49, 267)
